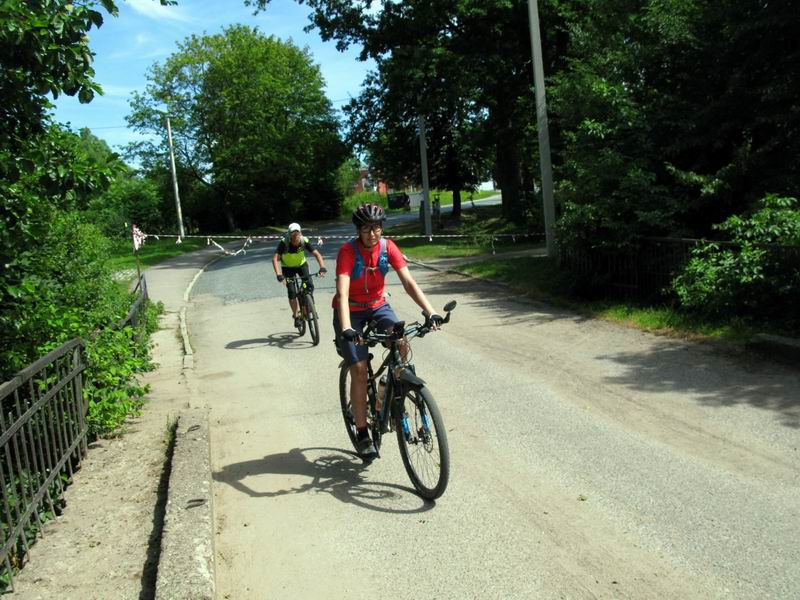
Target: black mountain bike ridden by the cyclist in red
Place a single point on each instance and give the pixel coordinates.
(401, 402)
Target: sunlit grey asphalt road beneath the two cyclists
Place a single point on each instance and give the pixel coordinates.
(588, 460)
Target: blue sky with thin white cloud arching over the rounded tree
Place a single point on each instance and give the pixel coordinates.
(146, 32)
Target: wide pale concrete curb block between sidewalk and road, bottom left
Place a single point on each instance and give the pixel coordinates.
(186, 564)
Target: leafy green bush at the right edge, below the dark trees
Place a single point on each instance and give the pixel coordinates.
(759, 274)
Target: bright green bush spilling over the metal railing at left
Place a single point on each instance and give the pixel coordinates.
(68, 292)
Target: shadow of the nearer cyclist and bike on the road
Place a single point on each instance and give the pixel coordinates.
(334, 471)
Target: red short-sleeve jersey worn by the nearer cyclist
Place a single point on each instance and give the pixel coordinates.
(368, 288)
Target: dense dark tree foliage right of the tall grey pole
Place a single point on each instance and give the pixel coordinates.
(674, 116)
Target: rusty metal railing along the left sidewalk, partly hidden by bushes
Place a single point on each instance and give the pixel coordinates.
(43, 439)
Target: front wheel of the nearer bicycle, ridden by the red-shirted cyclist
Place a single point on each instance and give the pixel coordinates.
(425, 453)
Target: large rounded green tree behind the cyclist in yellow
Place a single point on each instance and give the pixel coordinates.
(251, 121)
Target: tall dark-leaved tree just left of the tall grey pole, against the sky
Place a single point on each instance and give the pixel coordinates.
(462, 65)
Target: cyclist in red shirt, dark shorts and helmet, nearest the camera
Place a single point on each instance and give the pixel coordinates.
(361, 267)
